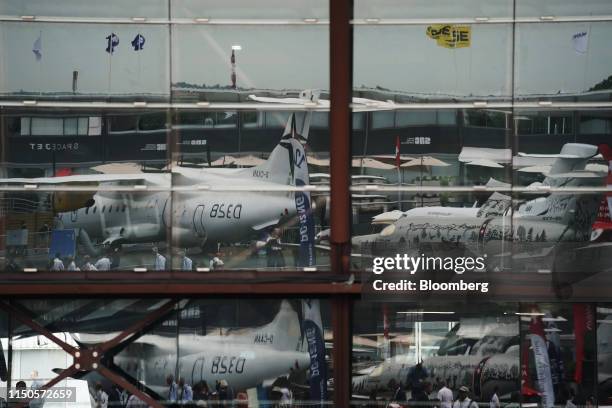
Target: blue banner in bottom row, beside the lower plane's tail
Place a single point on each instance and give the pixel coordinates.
(313, 331)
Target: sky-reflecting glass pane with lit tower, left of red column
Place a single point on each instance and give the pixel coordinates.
(267, 60)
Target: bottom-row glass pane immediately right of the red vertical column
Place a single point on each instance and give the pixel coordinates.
(411, 352)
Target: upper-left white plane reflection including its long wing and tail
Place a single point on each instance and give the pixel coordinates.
(208, 208)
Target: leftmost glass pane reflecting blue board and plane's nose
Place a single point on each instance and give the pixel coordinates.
(61, 231)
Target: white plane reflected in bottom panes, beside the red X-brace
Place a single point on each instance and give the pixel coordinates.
(244, 358)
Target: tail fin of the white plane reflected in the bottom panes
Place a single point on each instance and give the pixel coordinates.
(283, 333)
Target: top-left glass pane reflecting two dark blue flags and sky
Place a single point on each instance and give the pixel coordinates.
(66, 69)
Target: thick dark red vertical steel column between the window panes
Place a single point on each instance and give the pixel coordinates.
(341, 82)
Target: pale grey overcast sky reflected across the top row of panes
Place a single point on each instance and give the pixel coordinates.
(400, 58)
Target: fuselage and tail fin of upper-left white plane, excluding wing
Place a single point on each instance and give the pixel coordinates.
(202, 216)
